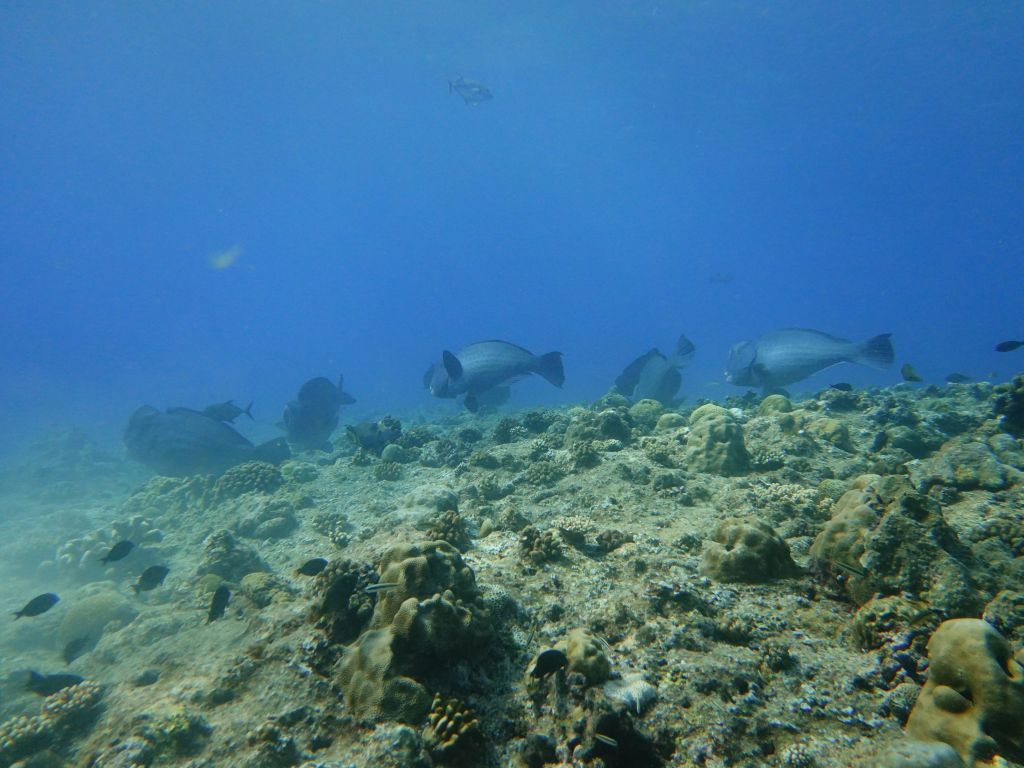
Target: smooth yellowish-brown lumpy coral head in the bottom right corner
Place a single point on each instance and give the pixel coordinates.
(974, 698)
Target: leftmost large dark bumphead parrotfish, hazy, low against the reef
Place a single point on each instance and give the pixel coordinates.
(182, 442)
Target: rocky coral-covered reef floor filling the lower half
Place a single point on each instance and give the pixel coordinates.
(825, 582)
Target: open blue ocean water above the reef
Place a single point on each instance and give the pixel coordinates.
(645, 169)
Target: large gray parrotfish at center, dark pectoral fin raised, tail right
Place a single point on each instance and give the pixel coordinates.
(486, 366)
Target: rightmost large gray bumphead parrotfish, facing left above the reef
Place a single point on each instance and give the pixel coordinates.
(781, 358)
